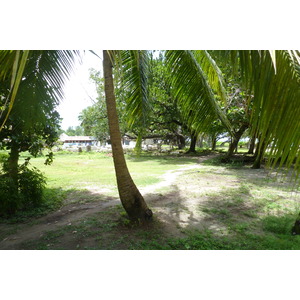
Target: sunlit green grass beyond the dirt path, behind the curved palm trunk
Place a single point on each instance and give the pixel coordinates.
(72, 175)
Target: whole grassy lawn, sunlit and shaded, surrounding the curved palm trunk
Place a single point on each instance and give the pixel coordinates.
(208, 206)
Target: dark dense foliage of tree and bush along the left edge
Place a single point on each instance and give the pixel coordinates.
(30, 125)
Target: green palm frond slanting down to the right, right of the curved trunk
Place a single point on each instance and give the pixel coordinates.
(193, 91)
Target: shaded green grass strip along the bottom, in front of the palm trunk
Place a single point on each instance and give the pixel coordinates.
(108, 230)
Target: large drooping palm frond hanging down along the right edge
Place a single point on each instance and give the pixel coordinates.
(273, 78)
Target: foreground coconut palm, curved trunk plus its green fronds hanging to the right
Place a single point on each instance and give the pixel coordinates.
(134, 68)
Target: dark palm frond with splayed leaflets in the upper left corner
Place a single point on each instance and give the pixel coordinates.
(42, 78)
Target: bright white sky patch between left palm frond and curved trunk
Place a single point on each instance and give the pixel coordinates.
(79, 90)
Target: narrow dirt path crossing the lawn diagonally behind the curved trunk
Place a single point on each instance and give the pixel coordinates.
(75, 212)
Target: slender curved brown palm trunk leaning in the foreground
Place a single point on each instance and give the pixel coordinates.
(131, 198)
